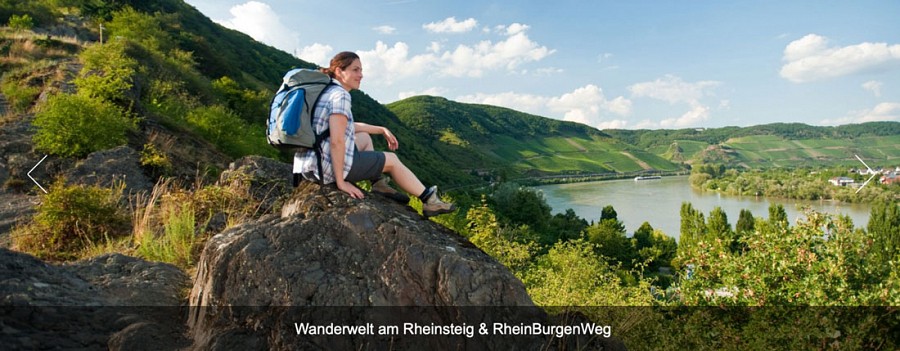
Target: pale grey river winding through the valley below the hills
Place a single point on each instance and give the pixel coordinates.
(659, 203)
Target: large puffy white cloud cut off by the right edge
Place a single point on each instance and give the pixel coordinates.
(811, 58)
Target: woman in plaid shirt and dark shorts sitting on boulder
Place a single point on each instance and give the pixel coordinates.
(348, 147)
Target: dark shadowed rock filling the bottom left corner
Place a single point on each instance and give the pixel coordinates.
(110, 302)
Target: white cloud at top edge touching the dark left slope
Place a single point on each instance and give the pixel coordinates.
(261, 23)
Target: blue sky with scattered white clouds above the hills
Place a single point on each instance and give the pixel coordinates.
(607, 64)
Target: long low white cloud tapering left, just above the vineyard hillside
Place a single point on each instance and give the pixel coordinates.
(586, 105)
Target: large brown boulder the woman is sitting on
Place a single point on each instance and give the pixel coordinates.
(327, 252)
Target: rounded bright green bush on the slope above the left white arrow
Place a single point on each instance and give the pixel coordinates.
(75, 125)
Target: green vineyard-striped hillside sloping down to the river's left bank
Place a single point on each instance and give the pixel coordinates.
(496, 140)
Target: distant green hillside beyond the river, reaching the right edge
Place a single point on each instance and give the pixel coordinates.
(773, 145)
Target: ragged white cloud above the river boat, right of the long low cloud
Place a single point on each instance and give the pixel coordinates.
(674, 90)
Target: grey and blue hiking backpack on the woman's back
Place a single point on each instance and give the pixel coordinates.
(290, 114)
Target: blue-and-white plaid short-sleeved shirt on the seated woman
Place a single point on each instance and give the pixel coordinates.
(334, 100)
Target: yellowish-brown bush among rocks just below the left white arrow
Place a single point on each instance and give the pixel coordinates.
(71, 219)
